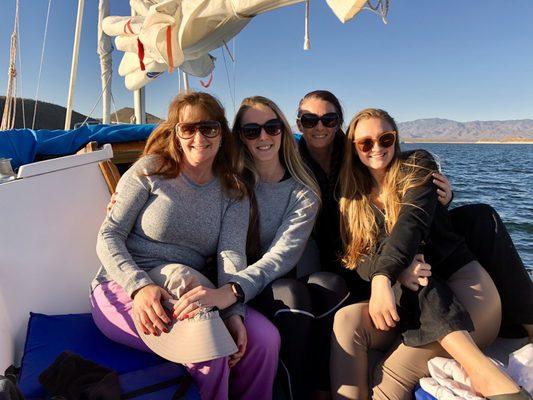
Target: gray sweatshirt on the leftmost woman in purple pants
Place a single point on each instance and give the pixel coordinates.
(157, 221)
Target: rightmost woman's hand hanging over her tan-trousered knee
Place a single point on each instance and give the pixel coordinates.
(382, 305)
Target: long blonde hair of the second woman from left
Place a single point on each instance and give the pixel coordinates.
(290, 158)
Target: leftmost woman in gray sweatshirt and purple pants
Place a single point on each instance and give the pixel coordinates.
(182, 203)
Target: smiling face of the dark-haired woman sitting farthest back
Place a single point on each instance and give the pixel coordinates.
(318, 137)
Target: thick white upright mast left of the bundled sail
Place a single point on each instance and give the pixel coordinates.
(106, 62)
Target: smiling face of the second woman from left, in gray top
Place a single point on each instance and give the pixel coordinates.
(265, 148)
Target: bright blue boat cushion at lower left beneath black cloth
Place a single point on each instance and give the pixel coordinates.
(49, 335)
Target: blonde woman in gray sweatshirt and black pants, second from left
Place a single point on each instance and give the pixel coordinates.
(283, 206)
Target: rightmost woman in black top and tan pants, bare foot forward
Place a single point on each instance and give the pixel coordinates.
(391, 223)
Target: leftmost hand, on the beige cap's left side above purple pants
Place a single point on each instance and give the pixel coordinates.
(148, 311)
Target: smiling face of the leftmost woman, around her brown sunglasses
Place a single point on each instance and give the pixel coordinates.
(198, 151)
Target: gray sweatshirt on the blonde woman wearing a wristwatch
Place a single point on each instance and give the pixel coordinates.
(287, 212)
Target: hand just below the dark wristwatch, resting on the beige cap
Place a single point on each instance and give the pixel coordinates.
(200, 297)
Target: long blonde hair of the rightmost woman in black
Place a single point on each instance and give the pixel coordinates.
(359, 230)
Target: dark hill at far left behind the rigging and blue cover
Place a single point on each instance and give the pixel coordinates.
(52, 116)
